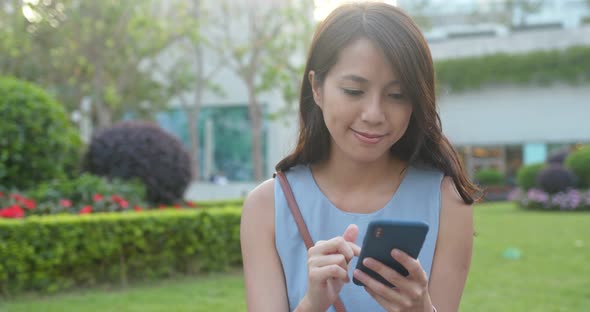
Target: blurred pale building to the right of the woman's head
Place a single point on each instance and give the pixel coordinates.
(505, 126)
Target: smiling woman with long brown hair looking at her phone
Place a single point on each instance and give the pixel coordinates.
(370, 147)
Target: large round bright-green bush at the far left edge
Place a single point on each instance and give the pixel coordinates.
(37, 141)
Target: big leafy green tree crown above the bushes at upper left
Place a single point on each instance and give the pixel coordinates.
(96, 49)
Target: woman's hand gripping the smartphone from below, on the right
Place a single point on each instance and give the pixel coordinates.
(409, 294)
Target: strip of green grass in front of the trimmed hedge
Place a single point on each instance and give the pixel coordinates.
(204, 293)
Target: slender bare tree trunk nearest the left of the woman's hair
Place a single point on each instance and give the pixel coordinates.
(256, 127)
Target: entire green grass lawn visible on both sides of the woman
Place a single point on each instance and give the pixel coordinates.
(552, 273)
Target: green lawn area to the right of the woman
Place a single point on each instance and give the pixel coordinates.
(553, 273)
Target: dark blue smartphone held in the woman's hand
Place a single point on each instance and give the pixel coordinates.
(385, 235)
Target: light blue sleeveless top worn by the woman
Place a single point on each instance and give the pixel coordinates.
(417, 198)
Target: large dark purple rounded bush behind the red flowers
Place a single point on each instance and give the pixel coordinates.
(135, 149)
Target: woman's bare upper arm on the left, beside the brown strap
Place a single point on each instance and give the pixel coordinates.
(265, 281)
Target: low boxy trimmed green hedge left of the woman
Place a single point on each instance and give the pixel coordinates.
(53, 253)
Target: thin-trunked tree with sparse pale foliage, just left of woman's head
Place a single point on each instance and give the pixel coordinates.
(250, 38)
